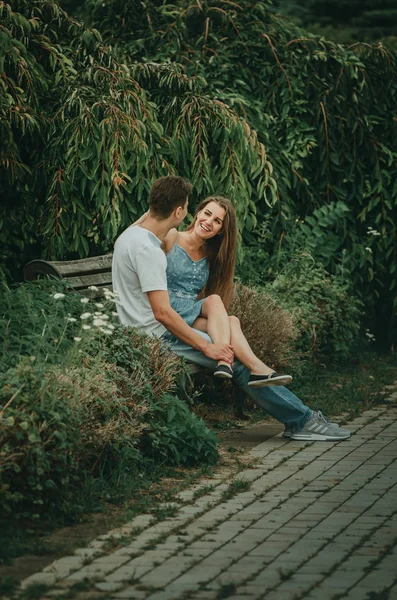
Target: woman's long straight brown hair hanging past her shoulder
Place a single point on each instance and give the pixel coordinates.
(221, 252)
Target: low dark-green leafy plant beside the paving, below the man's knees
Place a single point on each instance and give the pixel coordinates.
(176, 435)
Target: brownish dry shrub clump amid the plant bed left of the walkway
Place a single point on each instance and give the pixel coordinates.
(112, 393)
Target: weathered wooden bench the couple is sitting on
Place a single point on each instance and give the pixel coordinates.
(97, 271)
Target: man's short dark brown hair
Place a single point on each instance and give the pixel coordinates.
(167, 193)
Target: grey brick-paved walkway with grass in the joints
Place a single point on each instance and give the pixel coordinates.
(312, 521)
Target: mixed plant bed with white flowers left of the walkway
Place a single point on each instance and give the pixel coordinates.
(71, 411)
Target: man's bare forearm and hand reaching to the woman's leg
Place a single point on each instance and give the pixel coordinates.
(167, 316)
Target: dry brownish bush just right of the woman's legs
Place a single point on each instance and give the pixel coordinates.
(268, 328)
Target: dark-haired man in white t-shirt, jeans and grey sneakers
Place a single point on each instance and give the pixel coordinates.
(139, 277)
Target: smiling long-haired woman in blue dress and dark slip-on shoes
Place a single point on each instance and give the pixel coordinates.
(200, 274)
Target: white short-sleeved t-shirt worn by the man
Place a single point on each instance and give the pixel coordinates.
(139, 266)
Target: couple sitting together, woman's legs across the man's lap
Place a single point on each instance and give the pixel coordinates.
(178, 286)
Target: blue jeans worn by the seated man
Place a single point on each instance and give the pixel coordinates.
(278, 401)
